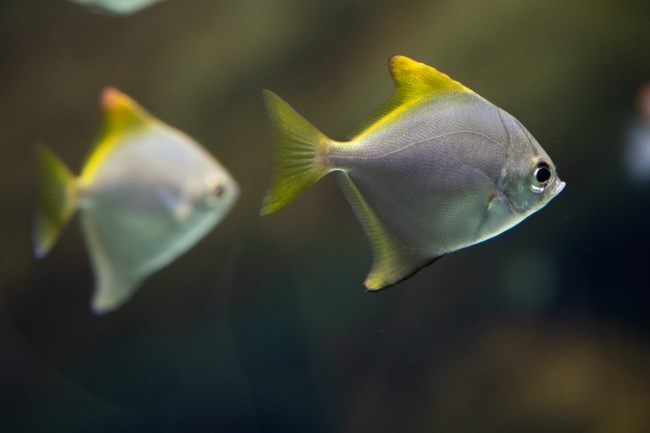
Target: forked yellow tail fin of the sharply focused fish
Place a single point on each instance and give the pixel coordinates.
(298, 155)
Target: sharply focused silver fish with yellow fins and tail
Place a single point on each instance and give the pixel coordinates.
(435, 169)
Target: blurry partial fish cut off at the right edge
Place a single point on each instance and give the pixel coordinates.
(637, 150)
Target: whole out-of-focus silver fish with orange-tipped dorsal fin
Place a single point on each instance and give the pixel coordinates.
(146, 194)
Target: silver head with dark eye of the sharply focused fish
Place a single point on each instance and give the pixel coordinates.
(531, 178)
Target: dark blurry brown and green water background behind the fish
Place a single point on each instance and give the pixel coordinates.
(264, 325)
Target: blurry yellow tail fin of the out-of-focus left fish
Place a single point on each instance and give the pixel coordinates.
(57, 200)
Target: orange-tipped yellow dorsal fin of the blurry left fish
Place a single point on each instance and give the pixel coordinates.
(121, 114)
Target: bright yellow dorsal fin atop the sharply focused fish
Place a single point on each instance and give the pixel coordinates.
(414, 83)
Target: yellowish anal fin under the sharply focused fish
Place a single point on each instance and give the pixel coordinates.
(392, 262)
